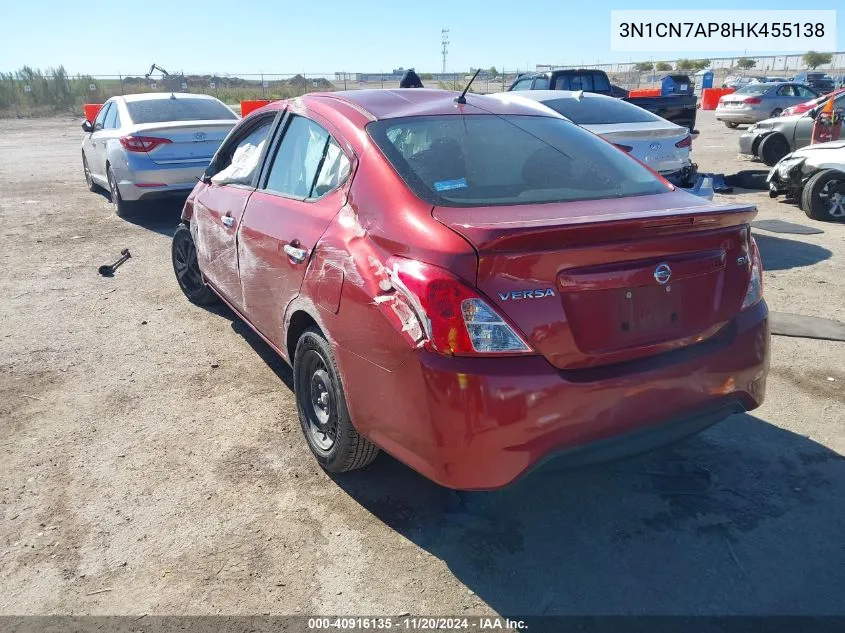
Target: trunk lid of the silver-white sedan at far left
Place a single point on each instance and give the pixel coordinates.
(190, 141)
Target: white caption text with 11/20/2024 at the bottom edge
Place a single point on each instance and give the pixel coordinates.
(409, 623)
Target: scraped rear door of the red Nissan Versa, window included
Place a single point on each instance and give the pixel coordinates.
(303, 186)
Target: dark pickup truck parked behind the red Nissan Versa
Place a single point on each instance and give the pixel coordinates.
(677, 108)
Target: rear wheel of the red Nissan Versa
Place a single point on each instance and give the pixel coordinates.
(322, 410)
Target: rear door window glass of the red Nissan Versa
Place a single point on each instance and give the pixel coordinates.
(308, 163)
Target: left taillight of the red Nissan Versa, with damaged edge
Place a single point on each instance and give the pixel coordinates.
(445, 315)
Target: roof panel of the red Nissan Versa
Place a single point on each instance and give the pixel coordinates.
(410, 102)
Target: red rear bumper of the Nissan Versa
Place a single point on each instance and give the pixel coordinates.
(482, 423)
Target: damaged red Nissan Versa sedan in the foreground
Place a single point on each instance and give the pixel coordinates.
(475, 287)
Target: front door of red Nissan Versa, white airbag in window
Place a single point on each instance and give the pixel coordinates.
(220, 203)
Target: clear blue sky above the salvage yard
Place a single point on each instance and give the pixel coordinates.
(324, 36)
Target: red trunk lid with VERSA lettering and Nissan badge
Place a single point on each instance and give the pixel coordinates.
(599, 282)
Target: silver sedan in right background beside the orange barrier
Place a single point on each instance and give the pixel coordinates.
(757, 102)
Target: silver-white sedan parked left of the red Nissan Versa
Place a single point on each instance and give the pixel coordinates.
(153, 145)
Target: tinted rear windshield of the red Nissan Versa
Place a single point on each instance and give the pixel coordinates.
(481, 160)
